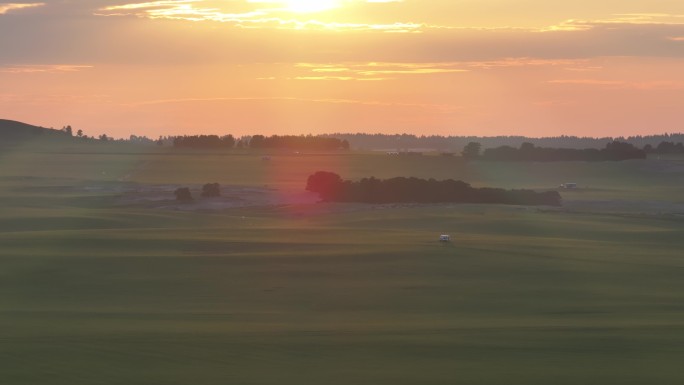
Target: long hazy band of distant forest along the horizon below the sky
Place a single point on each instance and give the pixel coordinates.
(512, 148)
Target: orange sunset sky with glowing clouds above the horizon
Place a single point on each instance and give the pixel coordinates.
(448, 67)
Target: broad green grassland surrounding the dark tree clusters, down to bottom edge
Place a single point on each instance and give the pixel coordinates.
(94, 291)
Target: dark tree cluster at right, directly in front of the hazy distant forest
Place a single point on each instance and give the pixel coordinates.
(614, 151)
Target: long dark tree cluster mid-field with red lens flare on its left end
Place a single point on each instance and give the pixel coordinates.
(331, 187)
